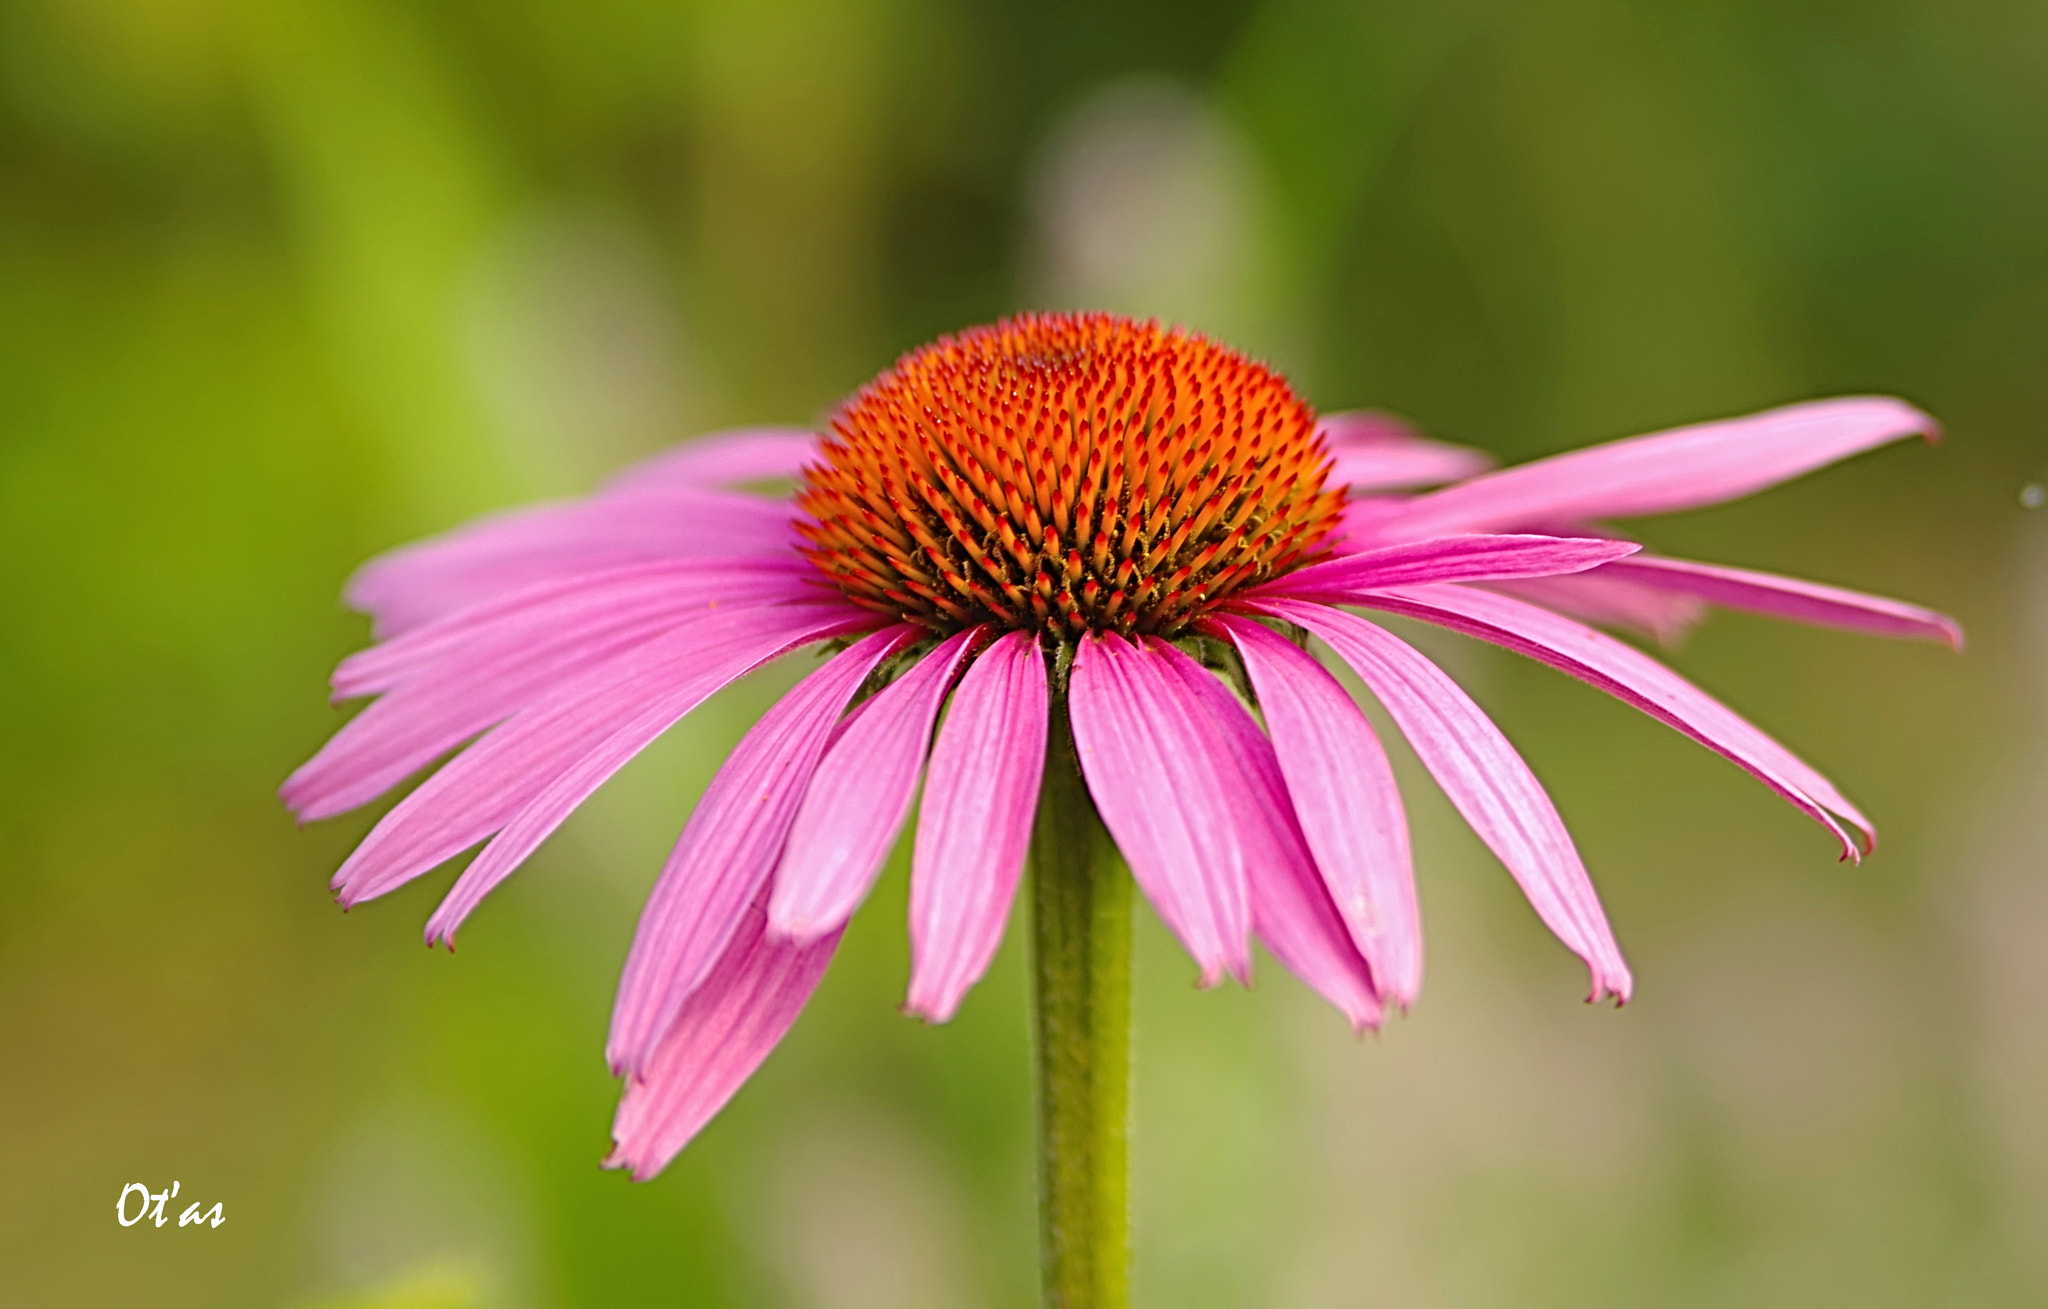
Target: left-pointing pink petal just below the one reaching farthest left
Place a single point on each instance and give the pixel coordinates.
(484, 788)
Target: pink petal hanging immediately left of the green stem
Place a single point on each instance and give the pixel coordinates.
(980, 798)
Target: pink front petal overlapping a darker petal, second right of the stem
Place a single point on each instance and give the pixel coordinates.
(1345, 798)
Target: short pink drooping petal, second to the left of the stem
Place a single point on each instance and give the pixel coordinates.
(859, 800)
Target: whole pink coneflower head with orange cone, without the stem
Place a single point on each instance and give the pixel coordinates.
(1056, 513)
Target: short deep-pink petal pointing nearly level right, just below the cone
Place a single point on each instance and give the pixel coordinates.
(1443, 560)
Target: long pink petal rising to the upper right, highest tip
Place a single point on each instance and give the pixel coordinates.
(1666, 472)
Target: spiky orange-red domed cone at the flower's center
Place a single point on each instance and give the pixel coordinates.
(1068, 474)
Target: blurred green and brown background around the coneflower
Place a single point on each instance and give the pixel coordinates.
(288, 284)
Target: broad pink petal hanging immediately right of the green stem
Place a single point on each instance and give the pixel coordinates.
(1152, 765)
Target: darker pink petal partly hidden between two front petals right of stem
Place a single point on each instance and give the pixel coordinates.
(1291, 909)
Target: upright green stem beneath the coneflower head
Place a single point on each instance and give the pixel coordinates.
(1082, 1001)
